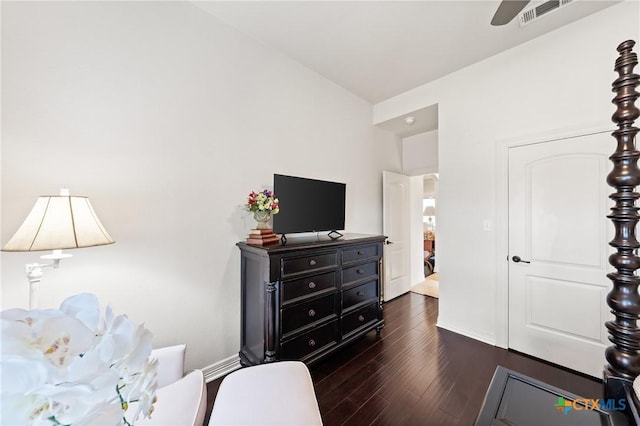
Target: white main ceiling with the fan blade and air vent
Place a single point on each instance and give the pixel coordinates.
(379, 49)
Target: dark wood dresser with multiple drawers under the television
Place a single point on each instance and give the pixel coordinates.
(307, 298)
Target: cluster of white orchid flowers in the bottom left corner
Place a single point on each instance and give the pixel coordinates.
(67, 366)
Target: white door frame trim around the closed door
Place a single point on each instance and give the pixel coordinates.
(502, 213)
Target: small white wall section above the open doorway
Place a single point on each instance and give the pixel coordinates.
(420, 154)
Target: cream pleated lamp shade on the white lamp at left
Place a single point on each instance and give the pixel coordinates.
(57, 223)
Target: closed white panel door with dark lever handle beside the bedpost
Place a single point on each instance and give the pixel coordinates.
(558, 202)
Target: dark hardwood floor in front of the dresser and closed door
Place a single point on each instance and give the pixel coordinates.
(417, 374)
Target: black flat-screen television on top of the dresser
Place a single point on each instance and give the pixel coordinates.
(308, 205)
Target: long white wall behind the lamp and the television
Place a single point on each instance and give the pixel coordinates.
(166, 119)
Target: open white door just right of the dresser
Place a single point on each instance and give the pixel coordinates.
(395, 202)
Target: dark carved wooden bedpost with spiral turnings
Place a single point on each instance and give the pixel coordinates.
(623, 356)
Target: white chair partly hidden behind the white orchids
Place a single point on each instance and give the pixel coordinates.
(182, 398)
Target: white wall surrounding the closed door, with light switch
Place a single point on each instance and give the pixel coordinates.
(555, 83)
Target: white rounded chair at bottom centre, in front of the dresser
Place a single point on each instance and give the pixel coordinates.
(278, 393)
